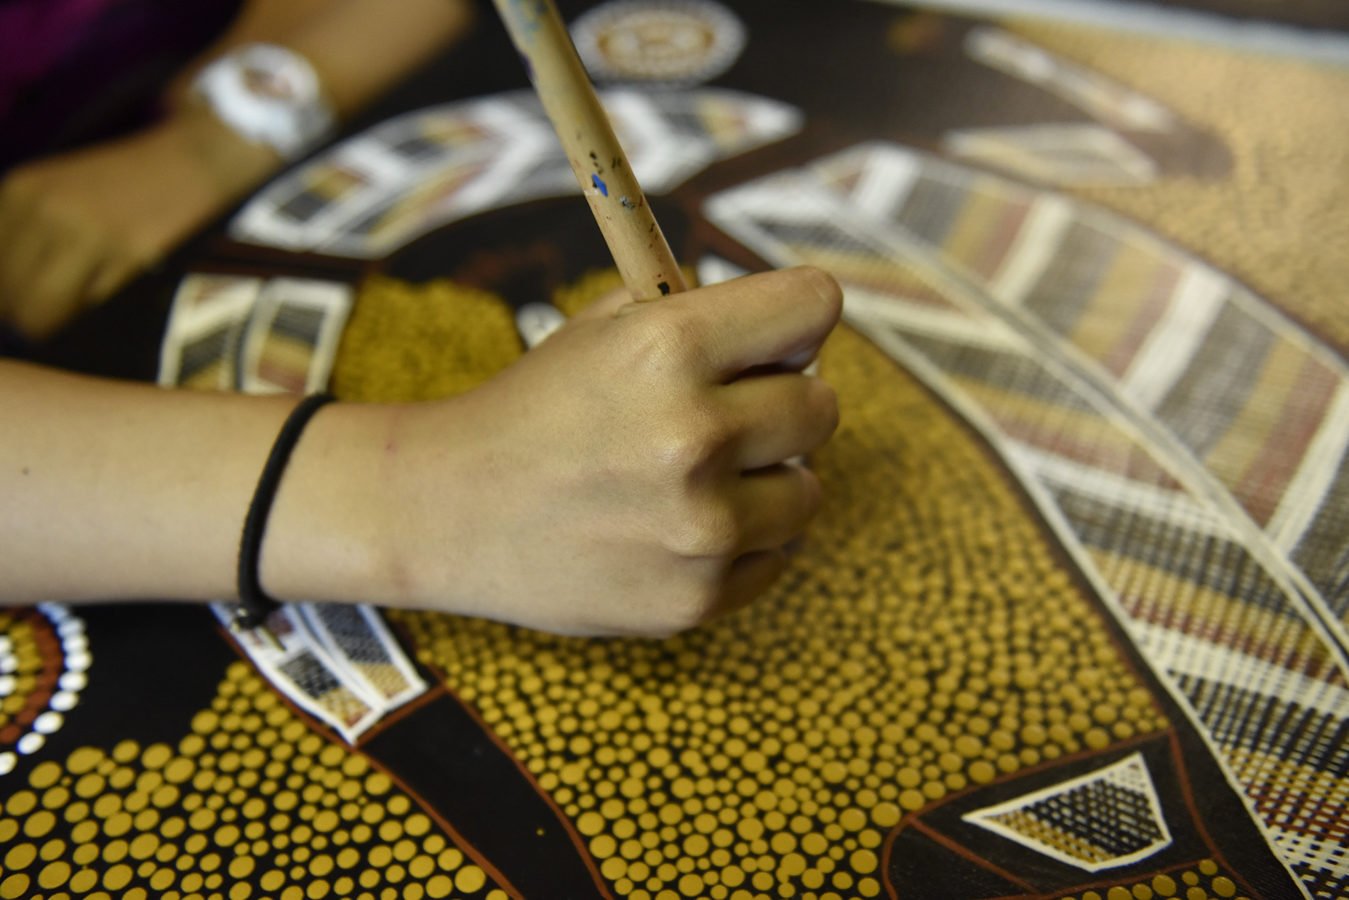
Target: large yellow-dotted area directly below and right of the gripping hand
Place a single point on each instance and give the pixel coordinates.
(929, 640)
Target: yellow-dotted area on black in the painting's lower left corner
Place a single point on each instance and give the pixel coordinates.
(250, 804)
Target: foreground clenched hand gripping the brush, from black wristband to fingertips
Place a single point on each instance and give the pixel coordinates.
(629, 477)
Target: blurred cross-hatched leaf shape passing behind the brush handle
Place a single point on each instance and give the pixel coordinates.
(386, 187)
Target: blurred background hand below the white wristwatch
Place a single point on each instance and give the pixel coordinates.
(76, 227)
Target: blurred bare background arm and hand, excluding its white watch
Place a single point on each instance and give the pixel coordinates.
(78, 226)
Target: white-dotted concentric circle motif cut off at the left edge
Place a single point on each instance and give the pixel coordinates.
(44, 666)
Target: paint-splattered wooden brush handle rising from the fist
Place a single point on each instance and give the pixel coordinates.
(616, 199)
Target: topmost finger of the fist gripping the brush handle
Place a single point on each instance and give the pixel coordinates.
(772, 319)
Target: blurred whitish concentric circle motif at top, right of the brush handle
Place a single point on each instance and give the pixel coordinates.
(674, 43)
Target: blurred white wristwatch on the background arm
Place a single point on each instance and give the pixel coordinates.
(268, 95)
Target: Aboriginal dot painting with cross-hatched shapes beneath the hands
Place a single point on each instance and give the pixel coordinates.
(1072, 624)
